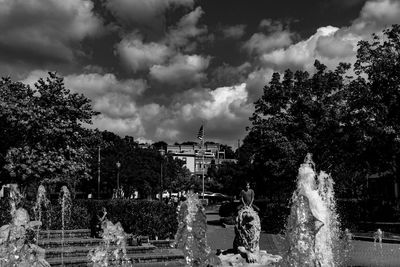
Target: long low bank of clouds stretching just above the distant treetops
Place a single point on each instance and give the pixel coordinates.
(123, 114)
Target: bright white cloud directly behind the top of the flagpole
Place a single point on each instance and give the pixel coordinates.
(225, 111)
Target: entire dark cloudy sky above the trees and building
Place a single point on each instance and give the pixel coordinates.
(156, 69)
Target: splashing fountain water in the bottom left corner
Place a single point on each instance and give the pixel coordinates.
(16, 248)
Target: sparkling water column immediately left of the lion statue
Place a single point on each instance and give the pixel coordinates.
(191, 233)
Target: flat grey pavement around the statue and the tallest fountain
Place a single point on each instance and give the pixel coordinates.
(363, 253)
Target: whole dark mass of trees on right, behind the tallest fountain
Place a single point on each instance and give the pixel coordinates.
(351, 126)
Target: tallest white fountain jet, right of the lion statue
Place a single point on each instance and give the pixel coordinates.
(312, 231)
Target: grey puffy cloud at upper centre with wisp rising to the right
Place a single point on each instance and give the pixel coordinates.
(166, 56)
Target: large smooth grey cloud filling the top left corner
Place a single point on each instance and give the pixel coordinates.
(47, 30)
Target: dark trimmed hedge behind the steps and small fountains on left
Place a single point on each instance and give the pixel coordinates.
(143, 217)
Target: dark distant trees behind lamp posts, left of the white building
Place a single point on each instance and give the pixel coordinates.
(140, 168)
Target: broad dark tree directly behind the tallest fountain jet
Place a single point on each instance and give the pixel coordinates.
(296, 115)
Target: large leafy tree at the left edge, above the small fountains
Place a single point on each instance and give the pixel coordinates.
(44, 137)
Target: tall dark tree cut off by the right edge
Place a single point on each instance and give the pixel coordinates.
(375, 102)
